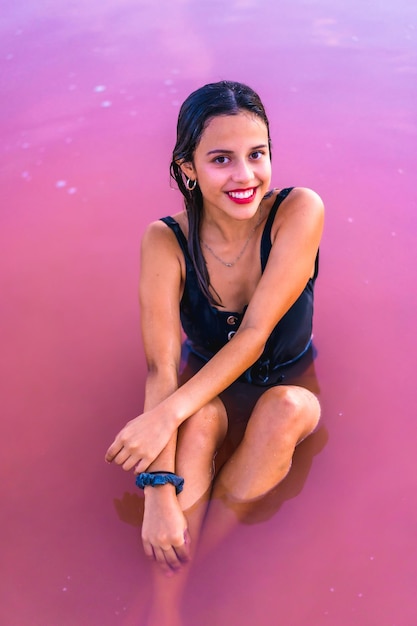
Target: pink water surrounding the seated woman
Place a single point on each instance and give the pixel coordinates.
(90, 95)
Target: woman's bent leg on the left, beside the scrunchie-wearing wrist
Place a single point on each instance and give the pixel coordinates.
(198, 439)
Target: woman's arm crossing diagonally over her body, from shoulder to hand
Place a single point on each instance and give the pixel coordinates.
(296, 237)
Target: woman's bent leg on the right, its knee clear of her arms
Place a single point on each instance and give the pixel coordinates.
(282, 417)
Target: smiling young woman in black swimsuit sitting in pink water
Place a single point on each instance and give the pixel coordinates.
(236, 270)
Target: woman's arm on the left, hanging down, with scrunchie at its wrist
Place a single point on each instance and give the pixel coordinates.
(164, 529)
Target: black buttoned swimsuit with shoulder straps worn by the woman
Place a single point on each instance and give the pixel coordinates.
(208, 329)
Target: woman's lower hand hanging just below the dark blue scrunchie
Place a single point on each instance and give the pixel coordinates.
(165, 535)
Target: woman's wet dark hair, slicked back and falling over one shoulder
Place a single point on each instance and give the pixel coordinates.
(212, 100)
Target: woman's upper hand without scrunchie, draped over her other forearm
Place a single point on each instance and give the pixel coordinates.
(141, 441)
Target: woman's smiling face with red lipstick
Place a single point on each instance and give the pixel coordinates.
(232, 165)
